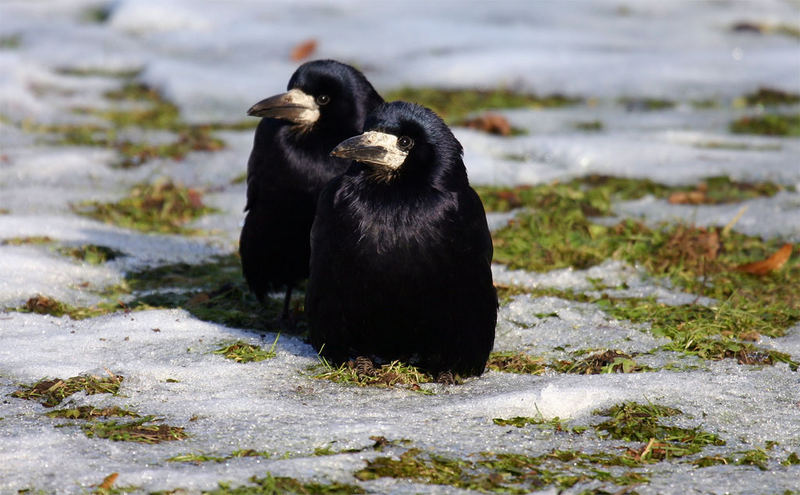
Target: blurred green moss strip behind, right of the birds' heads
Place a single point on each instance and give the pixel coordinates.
(455, 104)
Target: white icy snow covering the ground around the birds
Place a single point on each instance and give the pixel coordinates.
(213, 59)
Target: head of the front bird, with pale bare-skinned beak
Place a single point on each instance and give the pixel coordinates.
(404, 139)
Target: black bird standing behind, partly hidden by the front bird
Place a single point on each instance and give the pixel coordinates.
(290, 163)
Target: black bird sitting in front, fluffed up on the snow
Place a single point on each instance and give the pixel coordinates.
(400, 250)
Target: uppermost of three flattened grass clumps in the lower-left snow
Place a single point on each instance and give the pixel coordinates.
(50, 393)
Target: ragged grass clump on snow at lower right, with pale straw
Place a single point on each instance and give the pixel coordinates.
(633, 422)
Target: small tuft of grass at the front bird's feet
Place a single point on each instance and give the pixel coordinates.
(363, 373)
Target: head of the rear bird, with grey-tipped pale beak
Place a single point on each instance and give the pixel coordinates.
(322, 93)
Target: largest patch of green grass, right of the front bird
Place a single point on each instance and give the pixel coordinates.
(559, 231)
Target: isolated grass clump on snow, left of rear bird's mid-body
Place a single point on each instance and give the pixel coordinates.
(161, 207)
